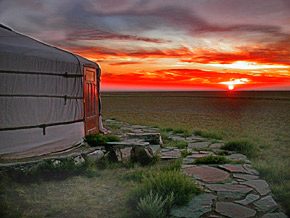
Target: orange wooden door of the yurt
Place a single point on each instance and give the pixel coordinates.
(91, 101)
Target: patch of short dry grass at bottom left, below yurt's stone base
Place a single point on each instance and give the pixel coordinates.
(79, 196)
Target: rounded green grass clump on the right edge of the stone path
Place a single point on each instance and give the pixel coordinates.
(243, 146)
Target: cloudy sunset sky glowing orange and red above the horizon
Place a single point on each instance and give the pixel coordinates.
(167, 44)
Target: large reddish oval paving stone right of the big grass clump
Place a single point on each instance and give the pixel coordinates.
(207, 174)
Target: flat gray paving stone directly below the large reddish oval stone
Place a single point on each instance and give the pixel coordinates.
(229, 190)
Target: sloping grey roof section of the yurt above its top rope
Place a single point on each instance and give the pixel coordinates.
(19, 52)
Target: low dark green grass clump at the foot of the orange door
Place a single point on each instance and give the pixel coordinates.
(100, 140)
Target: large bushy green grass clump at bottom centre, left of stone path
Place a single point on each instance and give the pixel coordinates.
(169, 188)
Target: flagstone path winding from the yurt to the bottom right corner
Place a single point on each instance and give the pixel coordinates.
(230, 190)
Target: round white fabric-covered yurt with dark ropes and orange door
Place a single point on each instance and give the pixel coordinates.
(49, 98)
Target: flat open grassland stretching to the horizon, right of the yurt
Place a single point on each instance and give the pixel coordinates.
(260, 117)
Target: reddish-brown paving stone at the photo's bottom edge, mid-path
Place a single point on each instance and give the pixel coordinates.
(234, 210)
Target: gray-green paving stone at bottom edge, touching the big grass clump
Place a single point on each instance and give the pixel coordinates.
(198, 206)
